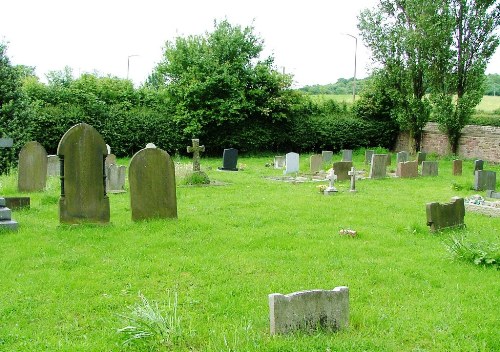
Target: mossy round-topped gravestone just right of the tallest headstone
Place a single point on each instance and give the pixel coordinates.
(152, 185)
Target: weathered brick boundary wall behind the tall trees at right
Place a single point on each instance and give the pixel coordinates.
(477, 142)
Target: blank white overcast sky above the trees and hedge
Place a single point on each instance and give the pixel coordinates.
(307, 39)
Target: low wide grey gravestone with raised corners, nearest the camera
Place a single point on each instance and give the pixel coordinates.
(308, 310)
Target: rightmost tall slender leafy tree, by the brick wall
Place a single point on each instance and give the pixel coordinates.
(458, 75)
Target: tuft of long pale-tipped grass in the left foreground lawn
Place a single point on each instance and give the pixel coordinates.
(147, 323)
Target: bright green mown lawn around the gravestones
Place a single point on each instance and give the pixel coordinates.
(67, 288)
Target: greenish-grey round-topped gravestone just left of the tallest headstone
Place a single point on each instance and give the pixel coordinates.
(32, 168)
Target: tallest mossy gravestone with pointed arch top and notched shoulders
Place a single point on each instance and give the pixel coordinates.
(83, 193)
